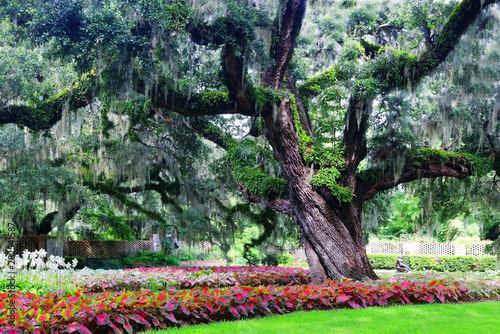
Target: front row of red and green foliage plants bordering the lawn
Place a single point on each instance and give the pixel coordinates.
(130, 312)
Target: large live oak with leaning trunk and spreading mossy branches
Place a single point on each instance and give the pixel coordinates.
(321, 131)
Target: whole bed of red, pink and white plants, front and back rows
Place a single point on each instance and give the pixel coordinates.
(244, 292)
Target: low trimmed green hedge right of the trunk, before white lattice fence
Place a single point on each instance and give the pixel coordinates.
(435, 262)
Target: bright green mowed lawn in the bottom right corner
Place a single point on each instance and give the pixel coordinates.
(474, 318)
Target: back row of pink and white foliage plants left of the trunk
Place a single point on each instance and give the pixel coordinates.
(186, 278)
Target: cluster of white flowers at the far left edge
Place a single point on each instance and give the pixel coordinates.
(36, 260)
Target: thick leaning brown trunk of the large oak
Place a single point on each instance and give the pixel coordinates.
(331, 232)
